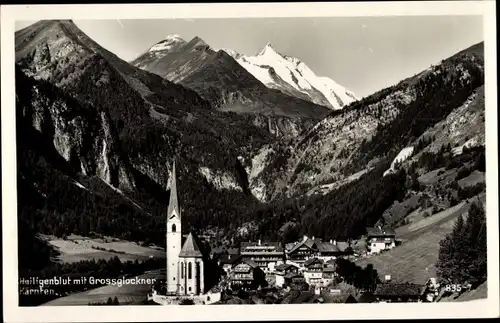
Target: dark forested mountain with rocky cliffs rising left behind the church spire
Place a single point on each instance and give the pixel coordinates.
(109, 132)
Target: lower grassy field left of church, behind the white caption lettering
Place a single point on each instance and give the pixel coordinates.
(126, 294)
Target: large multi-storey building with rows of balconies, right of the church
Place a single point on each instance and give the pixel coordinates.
(265, 254)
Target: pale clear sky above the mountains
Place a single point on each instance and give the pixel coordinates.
(363, 54)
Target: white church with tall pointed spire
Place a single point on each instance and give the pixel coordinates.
(185, 270)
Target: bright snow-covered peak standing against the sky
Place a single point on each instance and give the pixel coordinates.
(292, 76)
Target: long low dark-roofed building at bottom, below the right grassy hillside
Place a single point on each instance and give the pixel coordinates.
(399, 293)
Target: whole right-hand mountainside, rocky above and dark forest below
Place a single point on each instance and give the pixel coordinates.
(405, 153)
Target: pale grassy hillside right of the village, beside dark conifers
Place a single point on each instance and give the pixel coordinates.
(414, 260)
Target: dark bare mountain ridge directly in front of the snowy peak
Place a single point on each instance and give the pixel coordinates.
(199, 67)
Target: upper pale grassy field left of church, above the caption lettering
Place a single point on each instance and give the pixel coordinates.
(75, 248)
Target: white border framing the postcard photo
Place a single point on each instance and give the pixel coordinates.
(9, 14)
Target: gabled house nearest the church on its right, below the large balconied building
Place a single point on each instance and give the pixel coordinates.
(246, 274)
